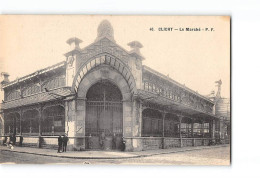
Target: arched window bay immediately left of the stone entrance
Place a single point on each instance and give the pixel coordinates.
(53, 120)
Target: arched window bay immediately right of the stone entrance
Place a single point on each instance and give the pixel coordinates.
(152, 123)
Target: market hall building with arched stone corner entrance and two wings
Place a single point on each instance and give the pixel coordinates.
(103, 98)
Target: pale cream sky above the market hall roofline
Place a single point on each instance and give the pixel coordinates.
(196, 59)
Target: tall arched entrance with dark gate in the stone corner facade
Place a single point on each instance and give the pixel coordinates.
(104, 116)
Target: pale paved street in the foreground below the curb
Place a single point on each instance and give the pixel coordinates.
(212, 156)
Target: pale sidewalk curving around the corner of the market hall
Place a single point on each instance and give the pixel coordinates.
(103, 154)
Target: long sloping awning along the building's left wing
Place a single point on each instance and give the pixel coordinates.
(56, 94)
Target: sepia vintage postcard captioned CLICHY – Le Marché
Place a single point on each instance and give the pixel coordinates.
(126, 90)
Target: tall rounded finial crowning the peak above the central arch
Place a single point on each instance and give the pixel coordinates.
(105, 29)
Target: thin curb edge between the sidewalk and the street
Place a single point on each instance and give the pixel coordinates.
(137, 156)
